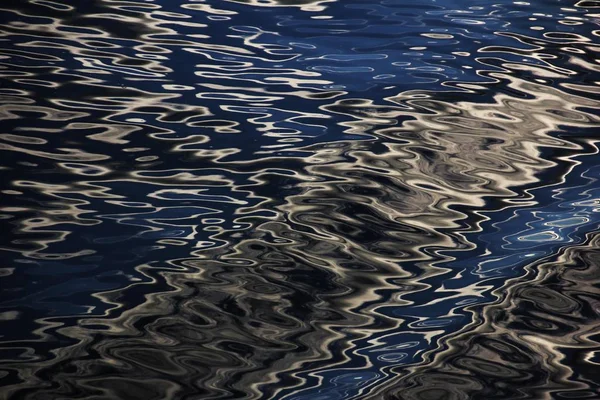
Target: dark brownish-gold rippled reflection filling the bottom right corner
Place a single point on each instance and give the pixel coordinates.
(572, 280)
